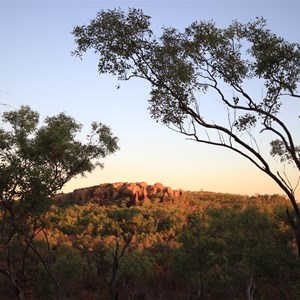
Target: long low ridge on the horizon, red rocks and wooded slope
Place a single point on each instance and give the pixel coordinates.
(136, 193)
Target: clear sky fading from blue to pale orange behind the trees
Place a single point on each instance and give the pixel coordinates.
(37, 69)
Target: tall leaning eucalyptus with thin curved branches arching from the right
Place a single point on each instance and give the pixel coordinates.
(225, 87)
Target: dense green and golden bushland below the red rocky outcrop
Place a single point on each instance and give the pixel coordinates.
(200, 246)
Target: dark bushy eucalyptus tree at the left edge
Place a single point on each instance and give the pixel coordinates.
(35, 162)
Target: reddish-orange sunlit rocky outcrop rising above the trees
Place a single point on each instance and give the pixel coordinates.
(109, 193)
